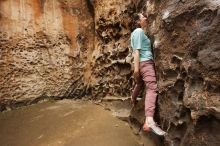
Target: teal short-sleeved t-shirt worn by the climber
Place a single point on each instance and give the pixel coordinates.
(141, 42)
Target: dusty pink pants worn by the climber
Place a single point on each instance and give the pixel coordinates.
(148, 77)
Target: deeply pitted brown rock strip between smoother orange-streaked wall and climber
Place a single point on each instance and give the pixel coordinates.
(111, 67)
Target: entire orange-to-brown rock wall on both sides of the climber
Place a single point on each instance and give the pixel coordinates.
(74, 49)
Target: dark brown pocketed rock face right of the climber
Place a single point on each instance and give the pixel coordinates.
(186, 38)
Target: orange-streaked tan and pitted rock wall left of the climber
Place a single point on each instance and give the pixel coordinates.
(64, 49)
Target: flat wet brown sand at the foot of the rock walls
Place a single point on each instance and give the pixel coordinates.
(64, 123)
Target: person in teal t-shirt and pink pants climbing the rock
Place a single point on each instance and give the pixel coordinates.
(144, 71)
